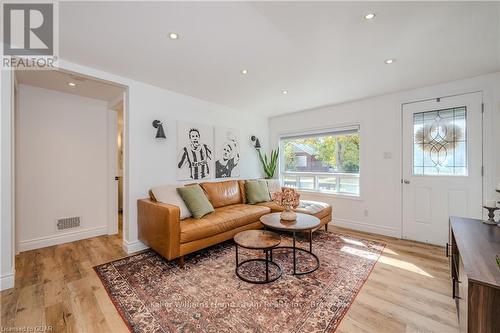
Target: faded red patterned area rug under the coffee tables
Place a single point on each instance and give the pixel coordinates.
(154, 295)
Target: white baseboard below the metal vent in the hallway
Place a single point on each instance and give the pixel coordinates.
(37, 243)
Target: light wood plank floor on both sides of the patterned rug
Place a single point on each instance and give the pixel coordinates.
(408, 290)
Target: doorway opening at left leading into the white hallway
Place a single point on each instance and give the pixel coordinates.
(68, 158)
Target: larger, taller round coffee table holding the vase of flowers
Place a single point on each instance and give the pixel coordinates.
(304, 222)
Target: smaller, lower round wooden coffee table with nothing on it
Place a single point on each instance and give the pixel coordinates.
(258, 240)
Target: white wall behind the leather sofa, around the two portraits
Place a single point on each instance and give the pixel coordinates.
(153, 162)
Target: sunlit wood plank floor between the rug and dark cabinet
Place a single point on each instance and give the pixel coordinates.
(409, 290)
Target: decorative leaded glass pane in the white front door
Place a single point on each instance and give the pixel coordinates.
(440, 142)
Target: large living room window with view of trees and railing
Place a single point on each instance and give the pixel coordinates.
(327, 162)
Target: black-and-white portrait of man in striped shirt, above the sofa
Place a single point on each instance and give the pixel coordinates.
(195, 151)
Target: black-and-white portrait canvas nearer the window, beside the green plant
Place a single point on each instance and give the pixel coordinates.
(227, 152)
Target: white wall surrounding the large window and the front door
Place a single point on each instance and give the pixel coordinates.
(378, 209)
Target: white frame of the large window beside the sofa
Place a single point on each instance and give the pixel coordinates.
(337, 130)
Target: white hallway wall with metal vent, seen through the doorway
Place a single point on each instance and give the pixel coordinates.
(61, 166)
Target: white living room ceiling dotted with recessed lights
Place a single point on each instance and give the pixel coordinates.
(322, 52)
